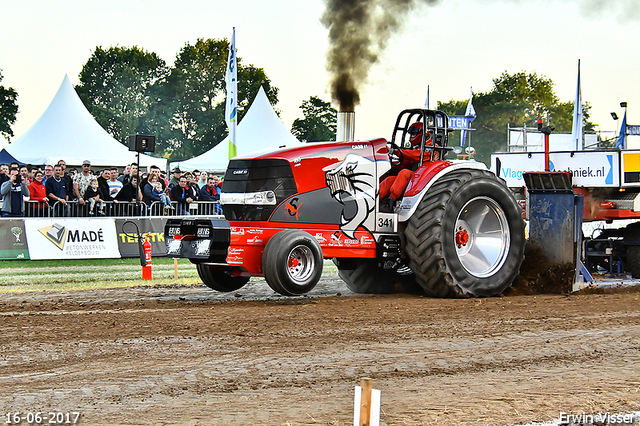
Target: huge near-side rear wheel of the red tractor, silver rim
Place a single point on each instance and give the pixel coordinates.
(466, 237)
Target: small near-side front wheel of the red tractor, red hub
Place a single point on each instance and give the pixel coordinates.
(292, 262)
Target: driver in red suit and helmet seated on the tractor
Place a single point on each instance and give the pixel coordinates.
(394, 186)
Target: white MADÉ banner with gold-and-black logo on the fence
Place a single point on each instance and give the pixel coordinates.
(61, 238)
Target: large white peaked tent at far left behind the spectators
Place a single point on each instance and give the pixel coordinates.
(67, 131)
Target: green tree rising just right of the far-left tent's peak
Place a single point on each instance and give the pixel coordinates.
(117, 85)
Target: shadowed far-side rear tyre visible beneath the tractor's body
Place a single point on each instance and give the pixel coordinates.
(363, 276)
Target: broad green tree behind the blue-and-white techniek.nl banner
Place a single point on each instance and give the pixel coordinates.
(515, 100)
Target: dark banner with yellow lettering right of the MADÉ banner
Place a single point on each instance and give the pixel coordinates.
(128, 243)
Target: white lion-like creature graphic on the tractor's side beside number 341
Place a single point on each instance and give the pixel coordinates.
(353, 180)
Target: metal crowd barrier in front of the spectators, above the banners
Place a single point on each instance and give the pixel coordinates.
(120, 209)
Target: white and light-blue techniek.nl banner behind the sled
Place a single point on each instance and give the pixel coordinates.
(587, 168)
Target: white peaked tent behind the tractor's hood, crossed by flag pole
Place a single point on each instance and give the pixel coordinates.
(259, 130)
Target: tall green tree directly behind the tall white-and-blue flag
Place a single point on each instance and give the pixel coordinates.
(196, 90)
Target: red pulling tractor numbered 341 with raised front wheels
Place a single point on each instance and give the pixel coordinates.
(458, 227)
